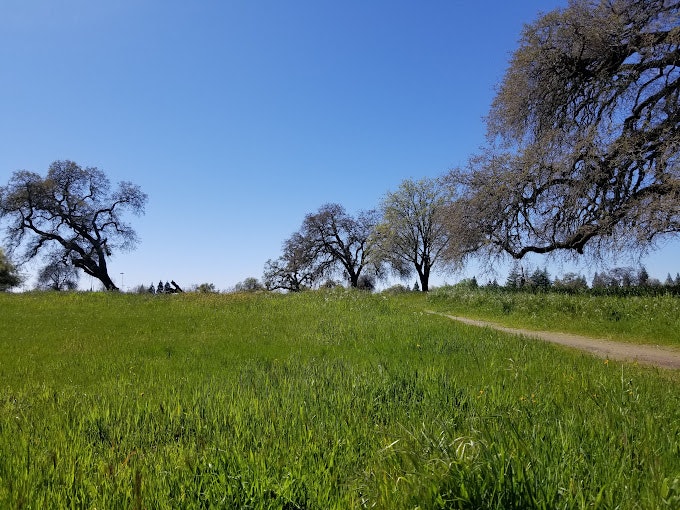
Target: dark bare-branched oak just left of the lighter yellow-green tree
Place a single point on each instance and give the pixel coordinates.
(336, 240)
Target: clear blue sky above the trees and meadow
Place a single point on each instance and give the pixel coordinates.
(238, 117)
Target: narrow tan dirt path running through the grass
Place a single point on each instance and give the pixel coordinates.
(665, 357)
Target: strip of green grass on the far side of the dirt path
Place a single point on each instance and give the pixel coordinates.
(643, 319)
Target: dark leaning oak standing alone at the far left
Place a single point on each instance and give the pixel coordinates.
(74, 211)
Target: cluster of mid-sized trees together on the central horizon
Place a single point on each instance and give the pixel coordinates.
(407, 235)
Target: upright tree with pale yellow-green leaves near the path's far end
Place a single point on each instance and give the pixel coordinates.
(412, 235)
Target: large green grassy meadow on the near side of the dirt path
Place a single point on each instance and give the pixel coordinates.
(321, 400)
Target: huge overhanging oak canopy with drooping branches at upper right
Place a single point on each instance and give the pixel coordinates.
(584, 139)
